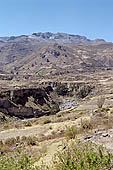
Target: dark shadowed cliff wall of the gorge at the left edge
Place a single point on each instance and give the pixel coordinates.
(18, 102)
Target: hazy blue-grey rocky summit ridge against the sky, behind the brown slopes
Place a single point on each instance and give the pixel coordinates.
(62, 38)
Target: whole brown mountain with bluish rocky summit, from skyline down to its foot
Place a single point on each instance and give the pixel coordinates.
(48, 53)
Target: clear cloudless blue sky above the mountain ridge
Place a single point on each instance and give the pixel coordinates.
(92, 18)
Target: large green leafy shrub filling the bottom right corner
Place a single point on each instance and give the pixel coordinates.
(83, 156)
